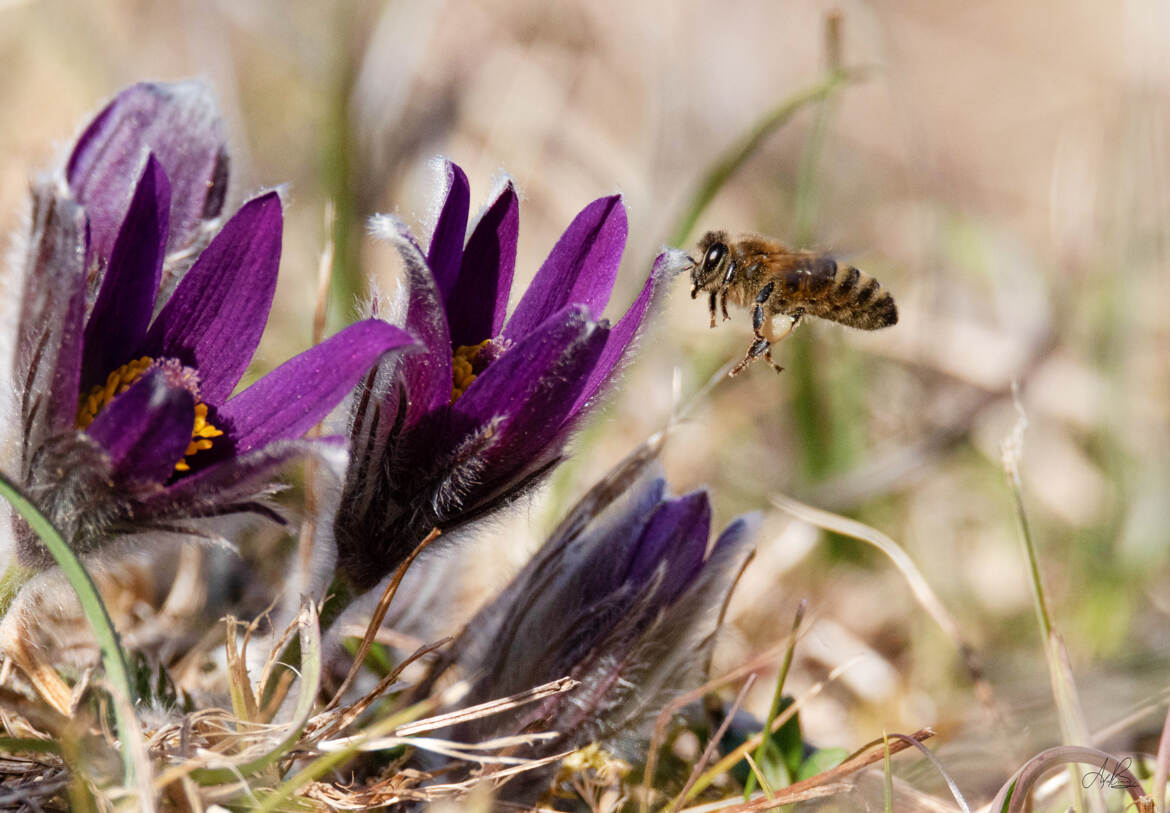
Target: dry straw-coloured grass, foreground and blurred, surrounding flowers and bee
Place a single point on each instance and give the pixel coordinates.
(1001, 168)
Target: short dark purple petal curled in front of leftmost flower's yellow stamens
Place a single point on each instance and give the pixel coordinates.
(147, 429)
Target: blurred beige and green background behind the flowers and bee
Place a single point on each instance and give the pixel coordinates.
(1002, 168)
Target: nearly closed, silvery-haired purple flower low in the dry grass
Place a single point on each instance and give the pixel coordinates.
(622, 598)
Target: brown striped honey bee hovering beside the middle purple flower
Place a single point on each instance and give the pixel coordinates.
(761, 273)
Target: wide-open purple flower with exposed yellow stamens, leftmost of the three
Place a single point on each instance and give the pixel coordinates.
(139, 320)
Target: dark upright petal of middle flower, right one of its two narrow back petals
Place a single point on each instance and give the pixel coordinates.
(477, 307)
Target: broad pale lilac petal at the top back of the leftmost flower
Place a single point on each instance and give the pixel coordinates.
(180, 123)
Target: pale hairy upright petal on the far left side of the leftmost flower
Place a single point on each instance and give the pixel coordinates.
(53, 307)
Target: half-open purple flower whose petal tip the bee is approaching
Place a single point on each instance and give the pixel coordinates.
(444, 437)
